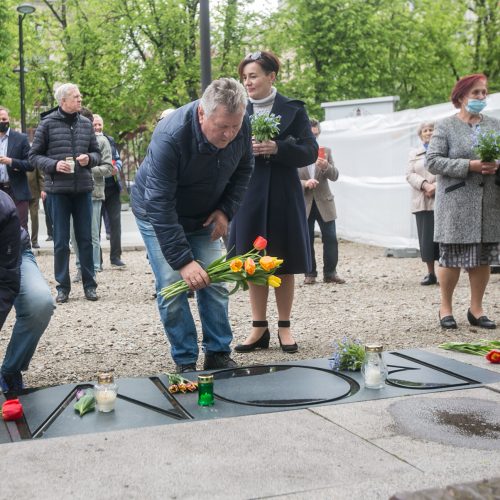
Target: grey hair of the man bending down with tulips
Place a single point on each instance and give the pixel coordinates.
(225, 92)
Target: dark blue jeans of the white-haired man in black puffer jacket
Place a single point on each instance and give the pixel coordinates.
(62, 207)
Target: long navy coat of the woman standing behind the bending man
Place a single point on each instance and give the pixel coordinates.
(274, 202)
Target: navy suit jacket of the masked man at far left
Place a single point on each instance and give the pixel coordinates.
(18, 148)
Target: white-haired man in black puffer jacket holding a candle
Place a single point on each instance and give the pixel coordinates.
(65, 148)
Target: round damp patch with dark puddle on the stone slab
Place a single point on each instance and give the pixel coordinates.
(463, 422)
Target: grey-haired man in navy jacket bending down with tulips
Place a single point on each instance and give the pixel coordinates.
(190, 185)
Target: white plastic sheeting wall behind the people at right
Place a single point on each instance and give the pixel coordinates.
(371, 153)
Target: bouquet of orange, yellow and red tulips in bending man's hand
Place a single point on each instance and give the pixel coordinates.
(253, 267)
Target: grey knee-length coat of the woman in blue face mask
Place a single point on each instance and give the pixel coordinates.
(467, 207)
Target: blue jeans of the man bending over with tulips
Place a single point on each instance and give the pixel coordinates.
(175, 313)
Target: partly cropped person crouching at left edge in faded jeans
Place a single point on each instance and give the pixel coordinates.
(21, 285)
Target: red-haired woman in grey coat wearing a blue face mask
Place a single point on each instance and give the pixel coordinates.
(467, 207)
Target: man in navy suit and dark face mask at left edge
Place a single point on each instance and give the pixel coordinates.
(14, 164)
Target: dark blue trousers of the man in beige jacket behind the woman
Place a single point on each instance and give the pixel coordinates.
(330, 243)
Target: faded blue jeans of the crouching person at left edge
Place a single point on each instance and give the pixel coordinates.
(34, 306)
